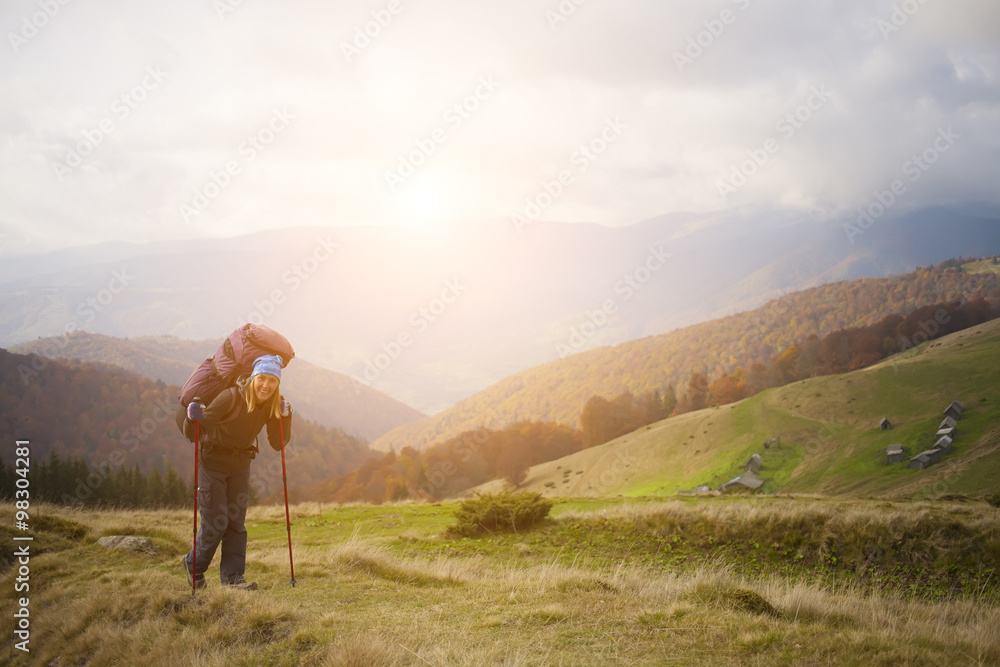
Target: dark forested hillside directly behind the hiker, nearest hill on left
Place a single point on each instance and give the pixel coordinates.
(112, 417)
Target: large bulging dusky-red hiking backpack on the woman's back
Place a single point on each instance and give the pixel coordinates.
(234, 359)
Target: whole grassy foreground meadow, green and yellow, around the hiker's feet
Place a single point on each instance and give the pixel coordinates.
(605, 582)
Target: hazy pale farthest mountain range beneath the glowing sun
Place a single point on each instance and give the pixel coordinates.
(432, 317)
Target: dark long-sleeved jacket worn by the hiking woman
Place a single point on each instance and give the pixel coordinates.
(229, 446)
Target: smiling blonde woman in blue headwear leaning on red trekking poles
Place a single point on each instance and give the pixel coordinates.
(229, 427)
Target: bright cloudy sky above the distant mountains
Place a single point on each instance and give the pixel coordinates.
(149, 121)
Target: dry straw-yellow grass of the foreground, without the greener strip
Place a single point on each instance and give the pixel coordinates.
(359, 602)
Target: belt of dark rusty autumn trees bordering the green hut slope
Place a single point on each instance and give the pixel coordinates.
(473, 457)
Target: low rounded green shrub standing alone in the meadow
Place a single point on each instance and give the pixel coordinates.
(504, 511)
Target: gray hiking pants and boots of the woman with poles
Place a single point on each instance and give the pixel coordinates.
(222, 503)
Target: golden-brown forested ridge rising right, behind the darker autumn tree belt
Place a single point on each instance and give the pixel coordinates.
(559, 390)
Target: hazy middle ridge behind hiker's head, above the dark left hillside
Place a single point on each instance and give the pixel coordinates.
(326, 397)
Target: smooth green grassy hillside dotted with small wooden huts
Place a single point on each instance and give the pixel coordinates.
(831, 443)
